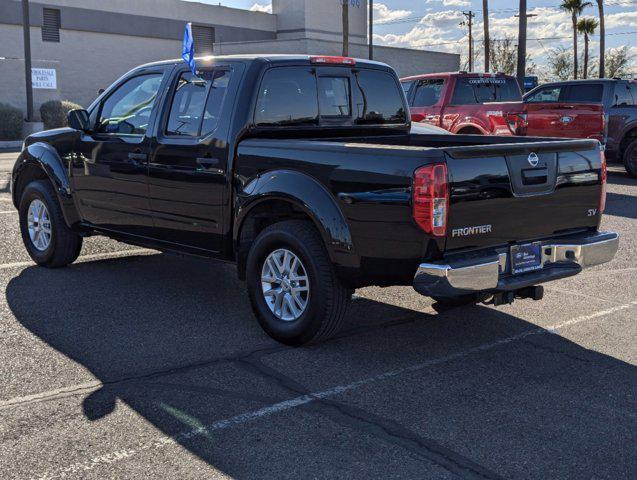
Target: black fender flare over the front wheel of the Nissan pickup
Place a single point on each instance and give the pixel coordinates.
(41, 160)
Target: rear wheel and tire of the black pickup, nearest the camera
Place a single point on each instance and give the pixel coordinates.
(293, 288)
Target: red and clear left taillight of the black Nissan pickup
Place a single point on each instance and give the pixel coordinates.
(431, 199)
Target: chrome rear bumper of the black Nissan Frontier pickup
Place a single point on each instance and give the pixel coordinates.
(560, 258)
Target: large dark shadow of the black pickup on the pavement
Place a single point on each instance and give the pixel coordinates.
(400, 393)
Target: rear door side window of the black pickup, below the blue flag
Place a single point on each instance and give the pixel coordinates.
(197, 102)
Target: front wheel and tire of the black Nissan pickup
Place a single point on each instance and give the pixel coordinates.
(47, 238)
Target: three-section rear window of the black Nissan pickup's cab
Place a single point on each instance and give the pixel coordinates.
(306, 96)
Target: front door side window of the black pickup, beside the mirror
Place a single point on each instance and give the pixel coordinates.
(127, 110)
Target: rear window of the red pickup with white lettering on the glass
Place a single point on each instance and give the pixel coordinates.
(474, 90)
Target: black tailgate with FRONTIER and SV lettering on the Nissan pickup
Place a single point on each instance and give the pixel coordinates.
(511, 193)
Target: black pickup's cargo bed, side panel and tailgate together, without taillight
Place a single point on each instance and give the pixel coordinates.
(496, 197)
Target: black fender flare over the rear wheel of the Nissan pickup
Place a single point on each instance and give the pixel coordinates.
(307, 195)
